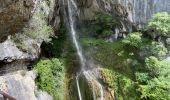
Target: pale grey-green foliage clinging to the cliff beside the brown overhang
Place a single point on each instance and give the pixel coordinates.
(39, 29)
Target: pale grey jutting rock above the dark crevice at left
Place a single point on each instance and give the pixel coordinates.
(9, 51)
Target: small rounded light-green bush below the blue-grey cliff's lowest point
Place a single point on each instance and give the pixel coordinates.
(133, 39)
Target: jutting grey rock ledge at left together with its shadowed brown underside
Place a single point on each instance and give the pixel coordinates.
(13, 59)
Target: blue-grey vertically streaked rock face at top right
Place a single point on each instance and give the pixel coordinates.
(140, 11)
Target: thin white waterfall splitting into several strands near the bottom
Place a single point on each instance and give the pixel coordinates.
(89, 75)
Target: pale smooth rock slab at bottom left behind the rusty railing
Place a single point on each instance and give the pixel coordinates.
(21, 85)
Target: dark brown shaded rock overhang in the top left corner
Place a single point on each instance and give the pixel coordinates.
(13, 15)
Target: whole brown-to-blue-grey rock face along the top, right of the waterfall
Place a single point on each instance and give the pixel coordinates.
(135, 11)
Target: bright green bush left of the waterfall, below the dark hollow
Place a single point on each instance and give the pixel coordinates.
(50, 77)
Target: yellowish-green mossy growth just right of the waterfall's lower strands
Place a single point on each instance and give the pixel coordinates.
(123, 87)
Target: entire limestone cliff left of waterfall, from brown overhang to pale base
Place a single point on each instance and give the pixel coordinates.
(23, 27)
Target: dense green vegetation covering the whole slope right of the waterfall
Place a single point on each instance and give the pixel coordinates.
(133, 66)
